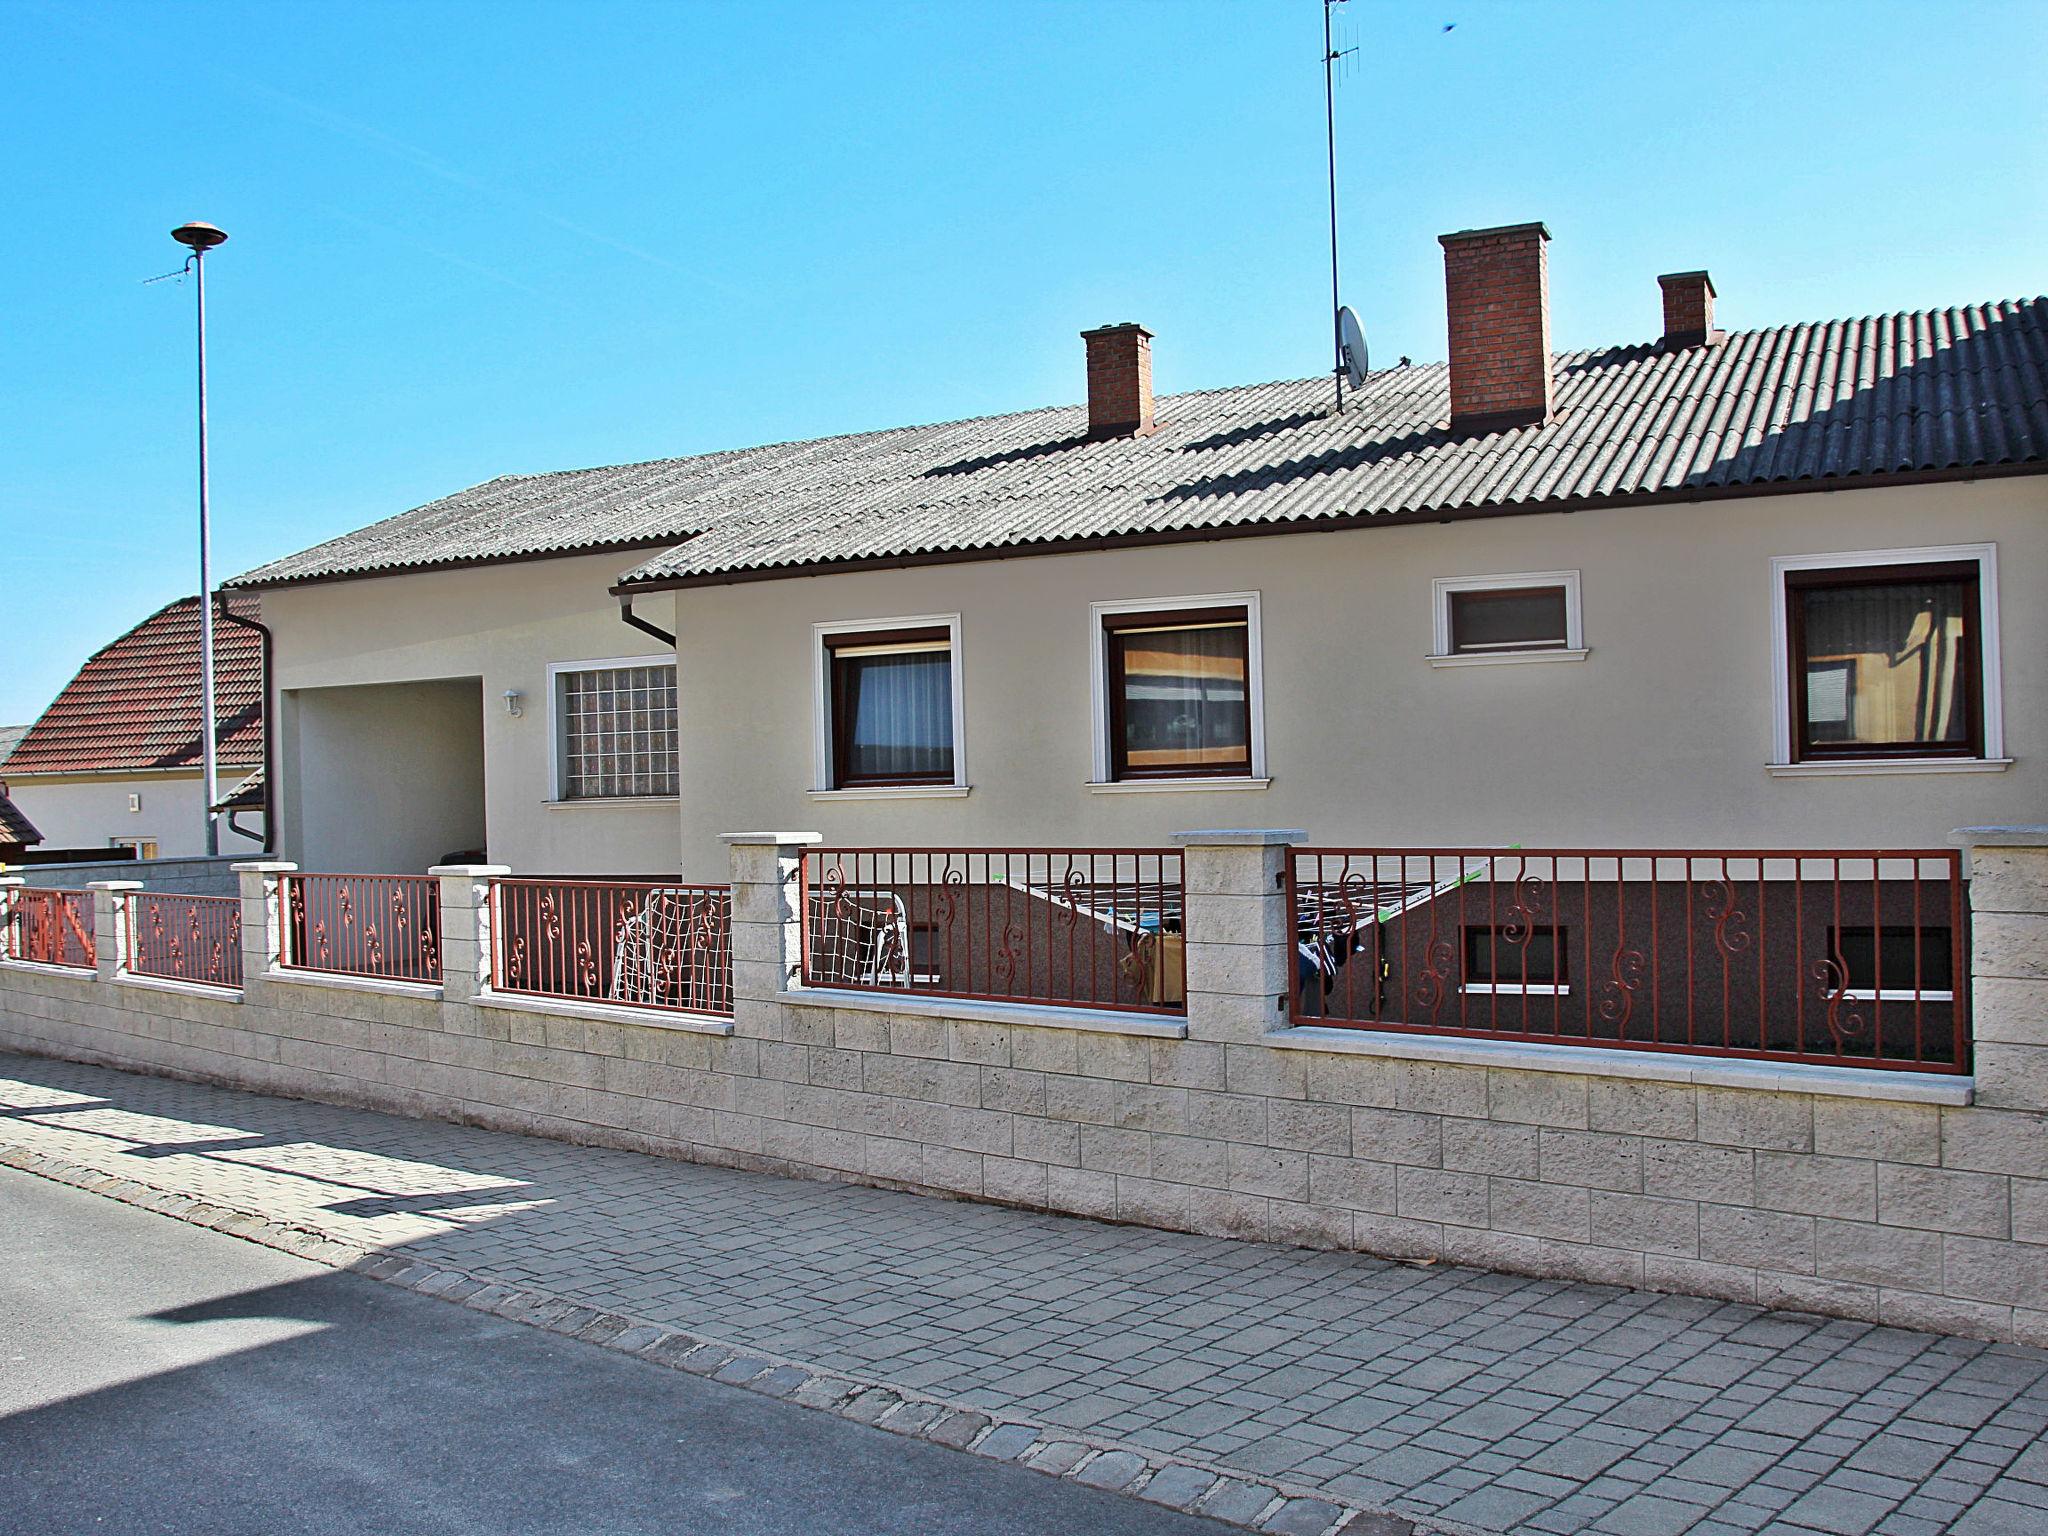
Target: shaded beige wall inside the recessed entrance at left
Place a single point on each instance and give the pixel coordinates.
(390, 777)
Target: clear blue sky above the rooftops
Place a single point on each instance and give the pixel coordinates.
(472, 241)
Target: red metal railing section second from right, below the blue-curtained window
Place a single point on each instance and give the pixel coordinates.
(1078, 927)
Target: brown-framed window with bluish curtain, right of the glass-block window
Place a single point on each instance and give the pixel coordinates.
(890, 708)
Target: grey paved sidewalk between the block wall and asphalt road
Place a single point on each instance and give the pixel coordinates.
(1490, 1402)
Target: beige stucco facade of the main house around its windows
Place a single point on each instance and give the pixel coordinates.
(1660, 738)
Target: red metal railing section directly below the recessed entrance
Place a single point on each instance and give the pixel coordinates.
(384, 927)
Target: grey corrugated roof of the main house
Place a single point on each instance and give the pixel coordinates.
(1916, 394)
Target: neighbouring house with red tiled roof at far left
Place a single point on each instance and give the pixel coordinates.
(116, 761)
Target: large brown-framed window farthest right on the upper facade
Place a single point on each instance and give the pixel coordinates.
(1885, 663)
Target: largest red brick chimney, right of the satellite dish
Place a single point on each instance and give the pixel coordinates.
(1498, 290)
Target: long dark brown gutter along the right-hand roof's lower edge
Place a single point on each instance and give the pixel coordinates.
(1334, 523)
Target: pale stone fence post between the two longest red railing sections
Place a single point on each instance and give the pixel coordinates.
(1238, 931)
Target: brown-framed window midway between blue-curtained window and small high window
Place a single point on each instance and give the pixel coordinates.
(1179, 693)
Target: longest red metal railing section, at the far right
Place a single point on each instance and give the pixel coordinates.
(1789, 955)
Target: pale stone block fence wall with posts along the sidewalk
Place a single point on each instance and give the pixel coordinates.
(1900, 1197)
